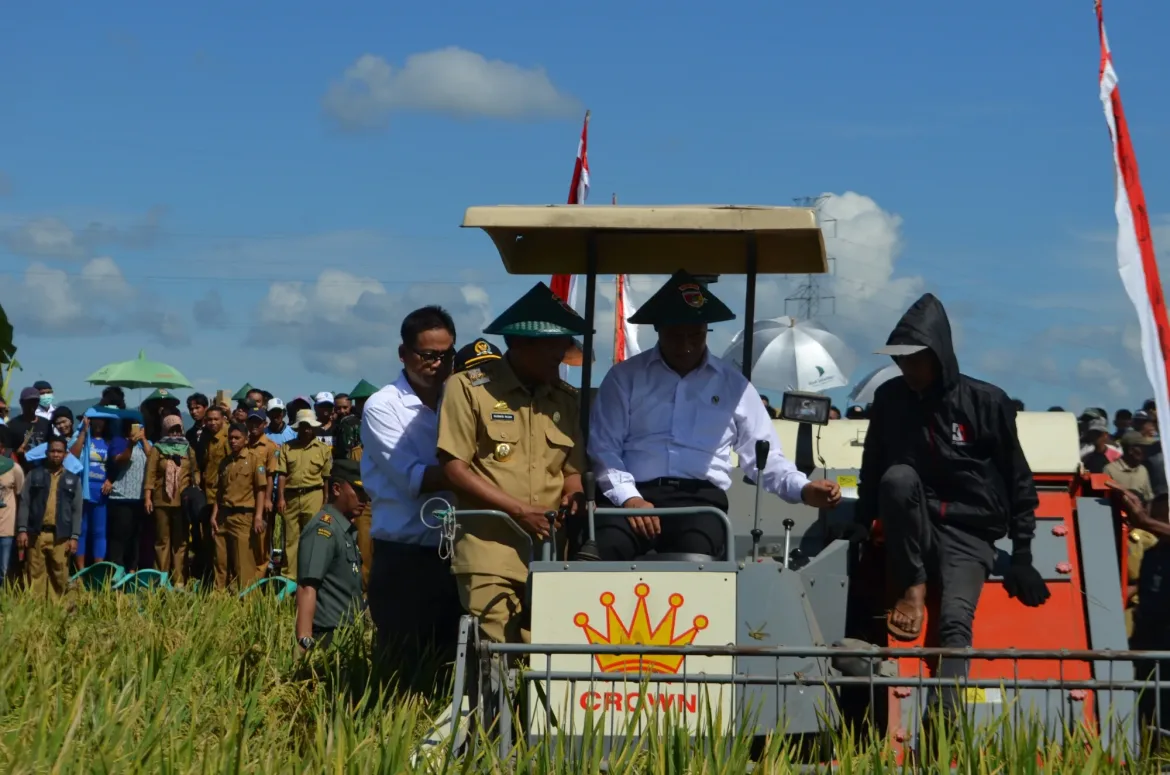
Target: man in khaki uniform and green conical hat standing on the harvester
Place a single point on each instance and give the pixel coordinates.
(511, 440)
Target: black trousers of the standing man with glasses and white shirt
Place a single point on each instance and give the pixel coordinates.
(414, 603)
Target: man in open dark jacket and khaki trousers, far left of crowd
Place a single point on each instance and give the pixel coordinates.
(50, 512)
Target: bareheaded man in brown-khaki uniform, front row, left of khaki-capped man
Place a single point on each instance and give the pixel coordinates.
(239, 512)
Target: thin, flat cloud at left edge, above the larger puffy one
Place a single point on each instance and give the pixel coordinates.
(52, 238)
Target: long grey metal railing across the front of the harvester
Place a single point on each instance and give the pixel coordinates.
(1106, 703)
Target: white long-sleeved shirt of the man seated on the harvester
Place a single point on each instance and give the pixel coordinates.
(648, 422)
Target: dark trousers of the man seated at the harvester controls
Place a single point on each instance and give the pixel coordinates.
(700, 534)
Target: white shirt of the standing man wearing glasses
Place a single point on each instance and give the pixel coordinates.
(400, 438)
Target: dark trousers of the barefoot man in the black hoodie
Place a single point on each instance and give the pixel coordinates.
(921, 547)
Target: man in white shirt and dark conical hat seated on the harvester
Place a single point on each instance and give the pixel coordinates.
(665, 424)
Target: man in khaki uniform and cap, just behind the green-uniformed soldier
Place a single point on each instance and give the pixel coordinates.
(305, 464)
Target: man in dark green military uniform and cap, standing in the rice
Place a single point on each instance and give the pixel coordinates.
(329, 574)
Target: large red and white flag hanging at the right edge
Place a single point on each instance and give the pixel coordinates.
(1137, 260)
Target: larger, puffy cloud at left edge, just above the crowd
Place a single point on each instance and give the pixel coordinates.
(98, 301)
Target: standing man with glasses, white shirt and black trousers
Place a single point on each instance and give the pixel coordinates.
(412, 594)
